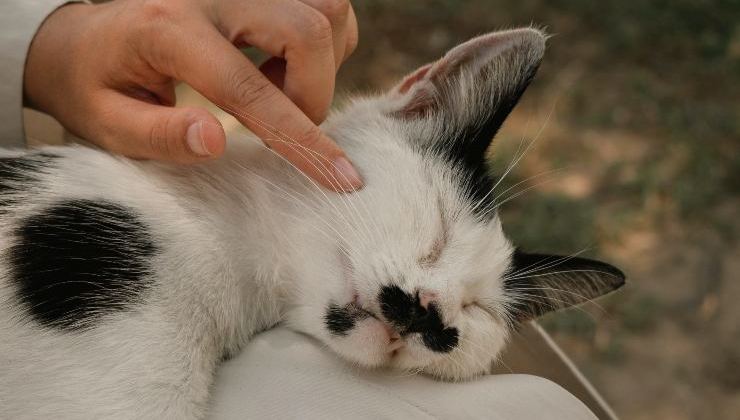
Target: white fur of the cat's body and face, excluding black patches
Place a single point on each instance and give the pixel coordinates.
(247, 242)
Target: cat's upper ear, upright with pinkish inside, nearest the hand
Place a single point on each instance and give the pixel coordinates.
(473, 88)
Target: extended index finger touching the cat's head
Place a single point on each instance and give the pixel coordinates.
(216, 69)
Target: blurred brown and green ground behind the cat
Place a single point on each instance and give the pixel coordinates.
(636, 122)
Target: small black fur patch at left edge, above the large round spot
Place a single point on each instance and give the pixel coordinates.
(18, 174)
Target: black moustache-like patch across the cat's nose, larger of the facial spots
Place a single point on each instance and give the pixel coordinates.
(405, 312)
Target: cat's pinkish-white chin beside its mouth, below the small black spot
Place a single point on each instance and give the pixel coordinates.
(368, 344)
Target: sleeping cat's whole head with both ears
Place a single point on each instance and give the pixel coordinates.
(422, 277)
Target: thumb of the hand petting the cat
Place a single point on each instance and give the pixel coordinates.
(143, 130)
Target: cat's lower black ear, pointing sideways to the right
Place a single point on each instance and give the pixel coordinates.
(540, 283)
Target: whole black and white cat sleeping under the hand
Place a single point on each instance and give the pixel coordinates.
(123, 283)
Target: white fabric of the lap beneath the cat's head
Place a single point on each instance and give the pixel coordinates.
(282, 374)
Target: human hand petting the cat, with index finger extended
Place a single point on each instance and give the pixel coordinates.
(107, 73)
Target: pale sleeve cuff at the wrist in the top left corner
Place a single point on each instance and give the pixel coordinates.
(19, 21)
